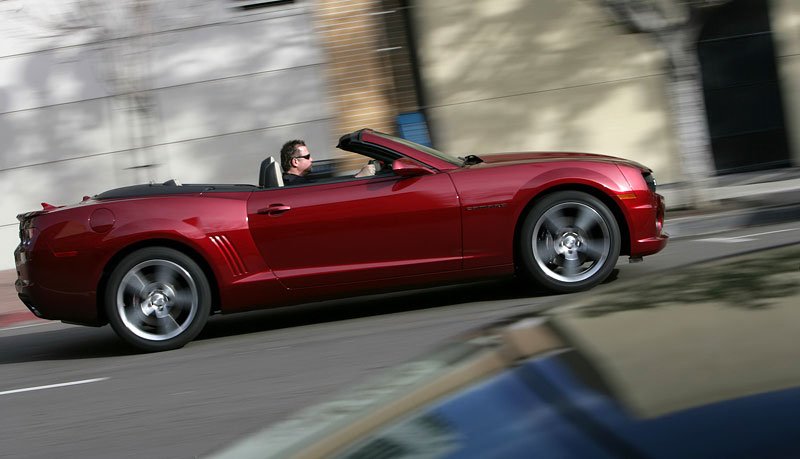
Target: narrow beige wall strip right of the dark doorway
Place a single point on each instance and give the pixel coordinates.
(786, 33)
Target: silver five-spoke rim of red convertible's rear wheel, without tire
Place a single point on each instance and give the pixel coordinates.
(157, 300)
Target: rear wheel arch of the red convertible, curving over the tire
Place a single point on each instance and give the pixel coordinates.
(157, 242)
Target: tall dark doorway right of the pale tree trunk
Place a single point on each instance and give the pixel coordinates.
(741, 88)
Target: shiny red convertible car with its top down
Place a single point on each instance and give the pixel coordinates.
(155, 261)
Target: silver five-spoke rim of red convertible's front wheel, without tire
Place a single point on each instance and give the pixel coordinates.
(571, 242)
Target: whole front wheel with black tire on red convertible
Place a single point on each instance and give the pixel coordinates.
(569, 242)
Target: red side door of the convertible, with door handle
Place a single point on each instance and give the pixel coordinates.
(359, 230)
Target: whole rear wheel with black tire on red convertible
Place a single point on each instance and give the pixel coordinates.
(157, 299)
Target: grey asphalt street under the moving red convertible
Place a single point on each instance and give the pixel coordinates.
(78, 392)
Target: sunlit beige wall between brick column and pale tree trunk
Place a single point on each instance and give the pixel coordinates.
(522, 75)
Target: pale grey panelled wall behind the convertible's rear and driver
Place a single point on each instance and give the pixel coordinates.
(227, 88)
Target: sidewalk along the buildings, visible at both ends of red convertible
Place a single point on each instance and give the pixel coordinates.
(739, 201)
